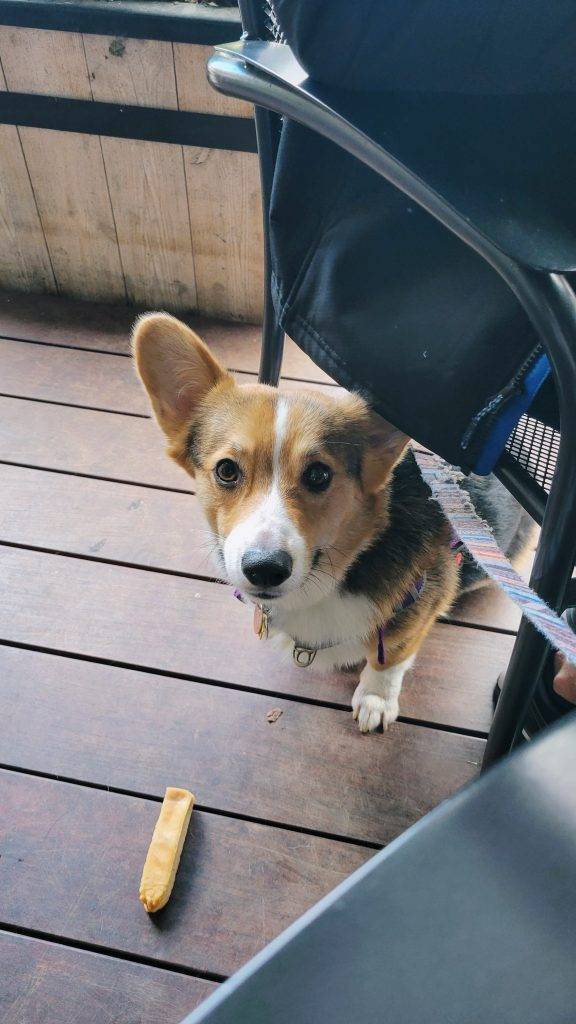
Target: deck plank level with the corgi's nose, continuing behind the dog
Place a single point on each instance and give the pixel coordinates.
(62, 513)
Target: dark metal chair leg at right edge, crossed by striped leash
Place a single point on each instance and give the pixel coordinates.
(557, 549)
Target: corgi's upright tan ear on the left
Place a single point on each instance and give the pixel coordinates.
(176, 367)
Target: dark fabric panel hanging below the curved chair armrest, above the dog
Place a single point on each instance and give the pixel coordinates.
(392, 305)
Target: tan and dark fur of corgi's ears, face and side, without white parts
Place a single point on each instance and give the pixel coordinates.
(207, 417)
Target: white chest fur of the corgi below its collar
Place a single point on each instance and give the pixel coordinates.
(335, 628)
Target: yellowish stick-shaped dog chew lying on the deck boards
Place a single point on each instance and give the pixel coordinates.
(164, 851)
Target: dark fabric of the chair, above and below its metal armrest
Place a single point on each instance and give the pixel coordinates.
(479, 101)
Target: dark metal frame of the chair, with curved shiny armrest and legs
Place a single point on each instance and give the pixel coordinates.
(267, 75)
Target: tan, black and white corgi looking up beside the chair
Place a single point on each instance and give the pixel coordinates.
(319, 516)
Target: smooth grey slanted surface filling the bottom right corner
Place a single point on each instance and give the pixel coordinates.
(468, 918)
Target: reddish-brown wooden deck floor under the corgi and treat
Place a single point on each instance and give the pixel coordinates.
(125, 669)
